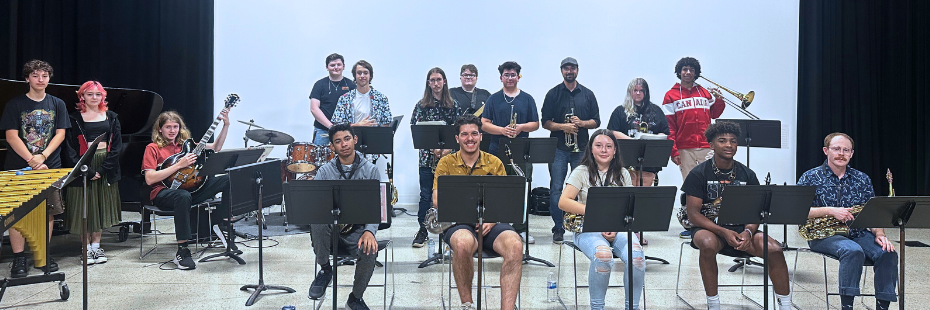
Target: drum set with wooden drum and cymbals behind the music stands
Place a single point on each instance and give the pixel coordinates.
(303, 158)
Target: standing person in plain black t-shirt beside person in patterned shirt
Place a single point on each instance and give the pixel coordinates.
(323, 97)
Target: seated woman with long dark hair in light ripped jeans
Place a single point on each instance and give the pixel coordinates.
(601, 166)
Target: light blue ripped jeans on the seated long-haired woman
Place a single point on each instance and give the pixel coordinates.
(590, 243)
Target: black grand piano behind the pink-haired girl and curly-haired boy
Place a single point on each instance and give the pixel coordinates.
(137, 110)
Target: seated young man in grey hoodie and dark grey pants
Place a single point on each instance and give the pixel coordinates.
(359, 240)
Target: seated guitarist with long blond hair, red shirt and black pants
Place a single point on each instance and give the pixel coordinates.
(168, 136)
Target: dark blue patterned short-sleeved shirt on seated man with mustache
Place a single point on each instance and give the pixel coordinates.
(855, 188)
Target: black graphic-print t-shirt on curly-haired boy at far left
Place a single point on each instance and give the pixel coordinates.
(36, 123)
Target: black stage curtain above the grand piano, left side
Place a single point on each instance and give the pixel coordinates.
(162, 46)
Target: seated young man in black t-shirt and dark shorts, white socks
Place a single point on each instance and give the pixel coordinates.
(704, 185)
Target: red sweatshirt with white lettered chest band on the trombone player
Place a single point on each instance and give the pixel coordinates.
(689, 112)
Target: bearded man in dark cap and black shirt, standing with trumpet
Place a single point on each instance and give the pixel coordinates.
(567, 98)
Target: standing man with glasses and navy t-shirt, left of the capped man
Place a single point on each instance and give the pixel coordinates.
(511, 113)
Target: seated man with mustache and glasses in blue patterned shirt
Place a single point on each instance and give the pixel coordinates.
(839, 188)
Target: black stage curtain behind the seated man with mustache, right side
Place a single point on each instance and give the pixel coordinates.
(863, 70)
